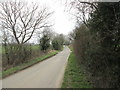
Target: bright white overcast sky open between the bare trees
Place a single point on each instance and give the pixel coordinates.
(63, 21)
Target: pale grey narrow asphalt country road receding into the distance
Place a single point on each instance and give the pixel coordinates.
(46, 74)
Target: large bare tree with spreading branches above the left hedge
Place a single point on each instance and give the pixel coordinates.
(22, 20)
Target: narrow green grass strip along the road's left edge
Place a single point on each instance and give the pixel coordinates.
(28, 64)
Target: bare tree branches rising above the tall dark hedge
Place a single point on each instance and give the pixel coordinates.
(81, 10)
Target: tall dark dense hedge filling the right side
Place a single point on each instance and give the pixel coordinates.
(98, 46)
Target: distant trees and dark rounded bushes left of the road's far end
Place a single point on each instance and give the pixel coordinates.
(52, 40)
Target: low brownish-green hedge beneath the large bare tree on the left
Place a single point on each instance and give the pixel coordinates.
(15, 54)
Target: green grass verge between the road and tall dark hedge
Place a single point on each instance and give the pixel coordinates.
(74, 77)
